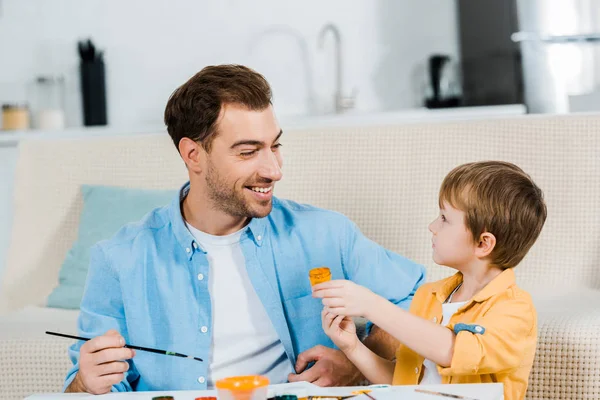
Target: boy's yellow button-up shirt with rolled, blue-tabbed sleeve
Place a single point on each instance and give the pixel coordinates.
(496, 335)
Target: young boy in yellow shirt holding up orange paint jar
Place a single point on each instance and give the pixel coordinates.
(477, 326)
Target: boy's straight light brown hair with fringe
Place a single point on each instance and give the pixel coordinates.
(499, 198)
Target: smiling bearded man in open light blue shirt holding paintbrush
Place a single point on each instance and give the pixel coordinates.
(221, 273)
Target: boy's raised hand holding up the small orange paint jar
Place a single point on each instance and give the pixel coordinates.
(344, 297)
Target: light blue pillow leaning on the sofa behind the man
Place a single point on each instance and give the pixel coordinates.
(105, 210)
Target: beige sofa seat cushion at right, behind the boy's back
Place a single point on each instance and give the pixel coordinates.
(567, 359)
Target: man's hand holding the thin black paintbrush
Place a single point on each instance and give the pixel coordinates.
(101, 364)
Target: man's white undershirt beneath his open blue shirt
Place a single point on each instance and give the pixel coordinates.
(244, 341)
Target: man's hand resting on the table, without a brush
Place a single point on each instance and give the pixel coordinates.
(331, 368)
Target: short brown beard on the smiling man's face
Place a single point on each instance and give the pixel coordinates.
(227, 199)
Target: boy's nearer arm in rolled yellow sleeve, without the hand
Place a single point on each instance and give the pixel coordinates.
(495, 343)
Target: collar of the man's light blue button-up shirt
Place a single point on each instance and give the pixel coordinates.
(256, 228)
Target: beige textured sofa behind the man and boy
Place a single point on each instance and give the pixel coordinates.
(385, 178)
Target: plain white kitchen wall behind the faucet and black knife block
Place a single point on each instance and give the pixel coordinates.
(152, 46)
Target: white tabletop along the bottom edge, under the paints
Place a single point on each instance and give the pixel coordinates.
(490, 391)
